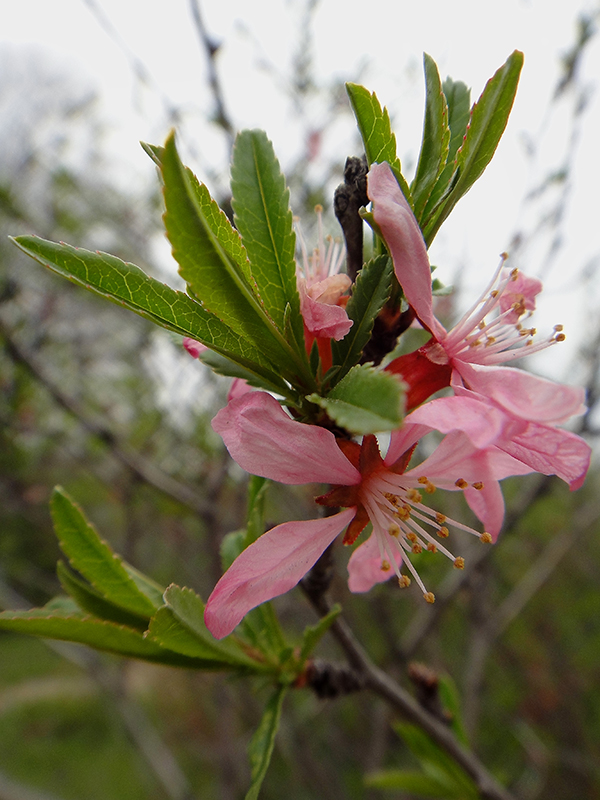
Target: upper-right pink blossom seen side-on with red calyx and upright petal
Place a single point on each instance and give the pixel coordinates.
(468, 357)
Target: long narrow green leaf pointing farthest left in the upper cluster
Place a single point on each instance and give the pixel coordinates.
(129, 286)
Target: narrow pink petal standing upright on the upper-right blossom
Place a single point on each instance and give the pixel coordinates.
(400, 229)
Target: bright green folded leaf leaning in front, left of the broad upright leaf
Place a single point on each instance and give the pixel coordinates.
(214, 263)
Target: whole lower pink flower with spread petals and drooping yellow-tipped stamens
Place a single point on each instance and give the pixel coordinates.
(264, 440)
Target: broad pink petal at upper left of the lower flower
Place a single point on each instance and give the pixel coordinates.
(263, 440)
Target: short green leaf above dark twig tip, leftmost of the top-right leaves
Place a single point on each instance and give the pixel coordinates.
(376, 131)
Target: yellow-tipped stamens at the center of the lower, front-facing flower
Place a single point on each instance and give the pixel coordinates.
(404, 525)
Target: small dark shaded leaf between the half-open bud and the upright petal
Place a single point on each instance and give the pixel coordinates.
(369, 294)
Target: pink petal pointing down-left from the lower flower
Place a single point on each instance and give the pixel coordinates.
(272, 565)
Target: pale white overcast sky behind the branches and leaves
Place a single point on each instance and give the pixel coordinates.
(378, 43)
